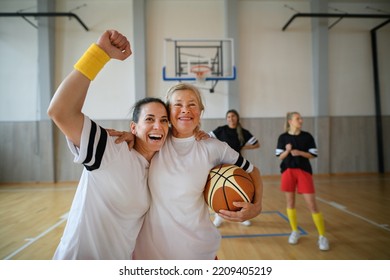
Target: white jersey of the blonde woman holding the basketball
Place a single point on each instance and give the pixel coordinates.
(178, 224)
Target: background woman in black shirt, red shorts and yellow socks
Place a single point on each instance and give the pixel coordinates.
(295, 148)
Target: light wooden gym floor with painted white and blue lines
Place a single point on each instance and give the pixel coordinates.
(33, 216)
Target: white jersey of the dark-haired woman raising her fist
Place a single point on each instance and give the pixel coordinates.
(110, 202)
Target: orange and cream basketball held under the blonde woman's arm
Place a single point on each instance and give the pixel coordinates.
(225, 184)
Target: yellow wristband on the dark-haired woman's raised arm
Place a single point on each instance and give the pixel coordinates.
(92, 61)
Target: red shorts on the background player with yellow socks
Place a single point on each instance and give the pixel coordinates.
(296, 179)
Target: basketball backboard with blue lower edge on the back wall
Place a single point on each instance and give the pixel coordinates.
(198, 60)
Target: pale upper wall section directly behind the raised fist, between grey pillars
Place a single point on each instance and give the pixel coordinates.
(112, 92)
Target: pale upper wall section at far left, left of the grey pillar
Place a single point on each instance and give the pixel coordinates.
(18, 59)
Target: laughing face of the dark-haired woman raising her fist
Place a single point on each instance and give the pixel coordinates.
(151, 129)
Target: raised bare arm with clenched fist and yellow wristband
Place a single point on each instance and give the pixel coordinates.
(67, 102)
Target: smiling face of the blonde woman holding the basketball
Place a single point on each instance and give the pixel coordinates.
(185, 112)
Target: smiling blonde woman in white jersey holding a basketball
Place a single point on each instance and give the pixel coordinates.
(178, 224)
